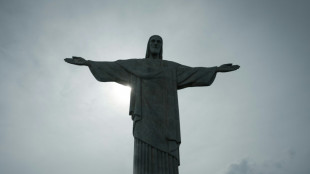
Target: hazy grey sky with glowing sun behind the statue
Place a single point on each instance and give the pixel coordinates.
(55, 118)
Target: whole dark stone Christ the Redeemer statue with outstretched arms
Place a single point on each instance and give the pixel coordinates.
(154, 102)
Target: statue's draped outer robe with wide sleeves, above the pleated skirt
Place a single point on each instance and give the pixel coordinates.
(154, 101)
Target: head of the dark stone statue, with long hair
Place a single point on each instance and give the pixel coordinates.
(155, 47)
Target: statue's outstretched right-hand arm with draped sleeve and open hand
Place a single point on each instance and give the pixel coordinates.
(200, 76)
